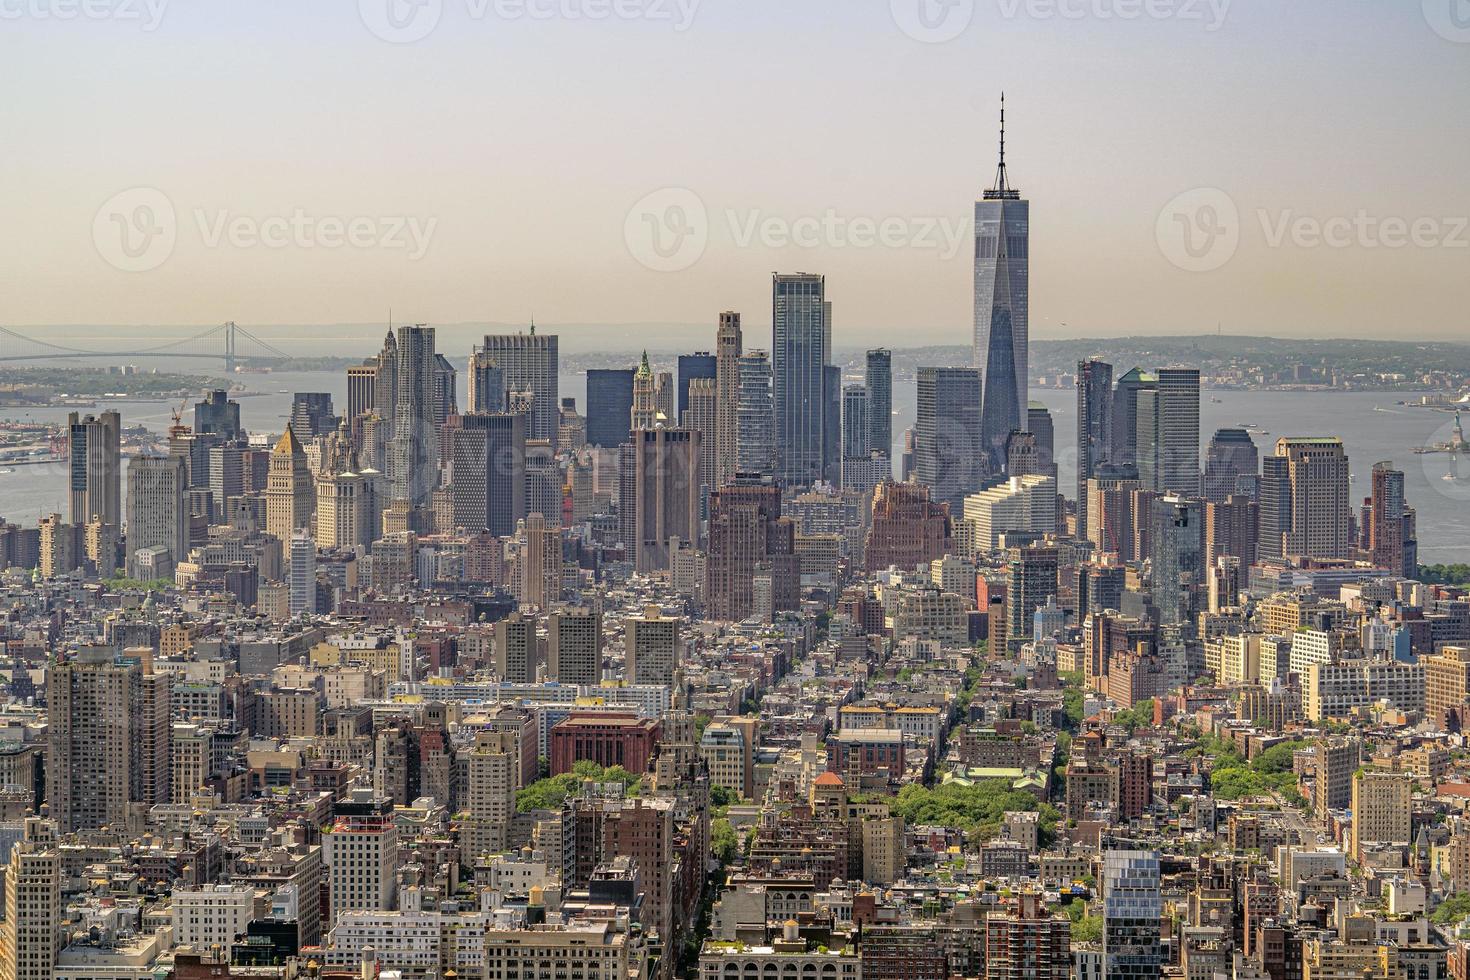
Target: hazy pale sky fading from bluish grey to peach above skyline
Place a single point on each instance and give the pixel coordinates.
(1258, 167)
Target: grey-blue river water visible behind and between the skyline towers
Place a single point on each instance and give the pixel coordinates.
(1372, 427)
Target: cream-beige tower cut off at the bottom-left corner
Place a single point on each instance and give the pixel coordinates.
(32, 932)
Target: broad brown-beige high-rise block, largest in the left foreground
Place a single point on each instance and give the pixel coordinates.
(110, 727)
